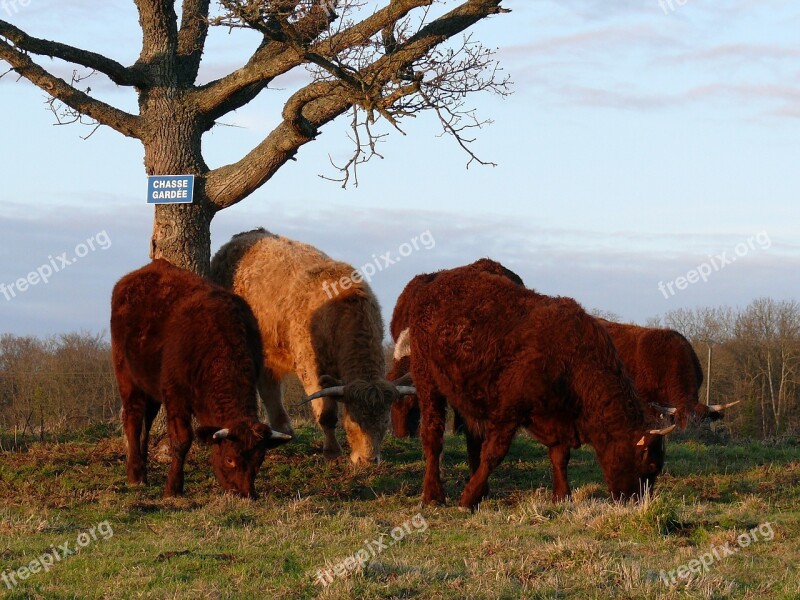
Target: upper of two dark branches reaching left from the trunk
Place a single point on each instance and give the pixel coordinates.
(113, 70)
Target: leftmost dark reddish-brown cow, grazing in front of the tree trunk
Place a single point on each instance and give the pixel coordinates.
(180, 341)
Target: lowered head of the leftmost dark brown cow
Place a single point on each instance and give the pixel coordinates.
(237, 453)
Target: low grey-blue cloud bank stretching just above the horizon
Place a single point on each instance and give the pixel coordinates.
(619, 272)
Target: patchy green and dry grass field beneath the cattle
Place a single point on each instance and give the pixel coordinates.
(314, 514)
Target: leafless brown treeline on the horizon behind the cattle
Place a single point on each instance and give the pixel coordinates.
(61, 384)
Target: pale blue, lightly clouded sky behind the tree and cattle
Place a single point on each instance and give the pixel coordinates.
(646, 161)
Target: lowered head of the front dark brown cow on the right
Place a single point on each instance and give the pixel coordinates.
(631, 464)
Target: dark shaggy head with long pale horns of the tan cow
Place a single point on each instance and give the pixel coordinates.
(367, 405)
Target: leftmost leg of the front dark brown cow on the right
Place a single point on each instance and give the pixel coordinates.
(434, 413)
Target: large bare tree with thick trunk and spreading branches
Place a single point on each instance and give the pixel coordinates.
(379, 59)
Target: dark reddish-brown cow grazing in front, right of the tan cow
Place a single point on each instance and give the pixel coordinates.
(506, 358)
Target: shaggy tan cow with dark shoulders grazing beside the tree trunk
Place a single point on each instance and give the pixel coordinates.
(326, 333)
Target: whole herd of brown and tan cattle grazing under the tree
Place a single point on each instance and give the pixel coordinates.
(503, 356)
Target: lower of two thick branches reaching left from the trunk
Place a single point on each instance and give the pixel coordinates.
(119, 120)
